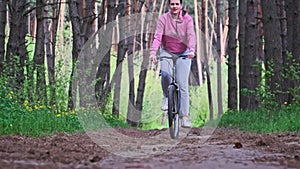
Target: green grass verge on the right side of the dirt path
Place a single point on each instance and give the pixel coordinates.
(282, 120)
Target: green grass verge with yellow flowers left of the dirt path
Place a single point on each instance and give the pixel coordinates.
(36, 121)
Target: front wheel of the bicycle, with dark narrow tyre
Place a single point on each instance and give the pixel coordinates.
(173, 115)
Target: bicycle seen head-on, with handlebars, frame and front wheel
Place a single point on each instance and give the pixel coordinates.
(173, 98)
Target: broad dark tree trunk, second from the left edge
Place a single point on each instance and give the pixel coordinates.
(16, 53)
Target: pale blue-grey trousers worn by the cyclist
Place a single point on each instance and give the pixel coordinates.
(183, 66)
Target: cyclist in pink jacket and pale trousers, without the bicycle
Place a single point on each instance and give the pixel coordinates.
(175, 34)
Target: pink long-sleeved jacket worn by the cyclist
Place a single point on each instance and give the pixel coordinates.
(174, 36)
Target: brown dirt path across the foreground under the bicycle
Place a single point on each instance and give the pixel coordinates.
(225, 148)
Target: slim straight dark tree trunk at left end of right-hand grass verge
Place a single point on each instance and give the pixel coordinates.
(232, 46)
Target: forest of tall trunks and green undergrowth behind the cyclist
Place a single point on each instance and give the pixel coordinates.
(76, 54)
